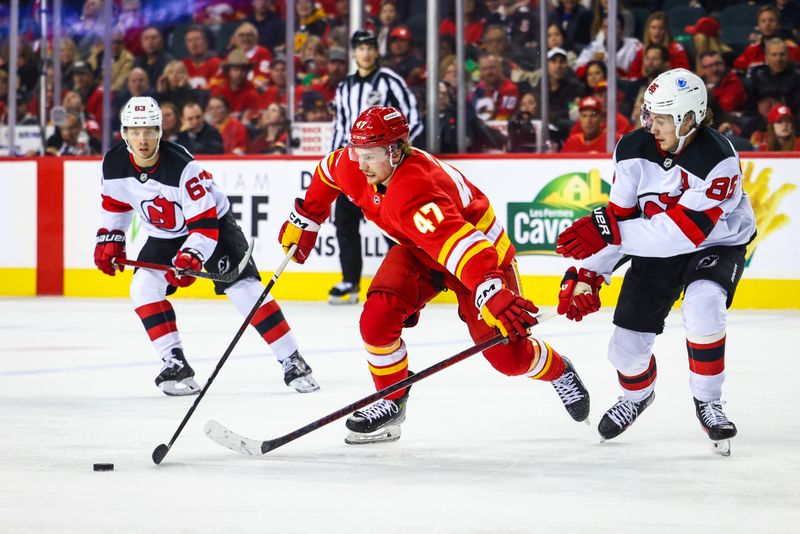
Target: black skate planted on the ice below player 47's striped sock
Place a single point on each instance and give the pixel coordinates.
(378, 422)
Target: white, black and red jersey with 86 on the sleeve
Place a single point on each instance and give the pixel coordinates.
(669, 205)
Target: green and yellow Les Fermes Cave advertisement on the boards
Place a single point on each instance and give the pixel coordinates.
(534, 226)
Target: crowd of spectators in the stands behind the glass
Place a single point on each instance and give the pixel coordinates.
(219, 69)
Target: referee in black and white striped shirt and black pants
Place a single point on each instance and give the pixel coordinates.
(371, 85)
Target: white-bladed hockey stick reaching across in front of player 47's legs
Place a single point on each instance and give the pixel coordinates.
(235, 442)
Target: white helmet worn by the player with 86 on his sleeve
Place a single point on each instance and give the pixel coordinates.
(675, 92)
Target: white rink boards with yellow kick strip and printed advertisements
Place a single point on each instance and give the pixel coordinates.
(51, 224)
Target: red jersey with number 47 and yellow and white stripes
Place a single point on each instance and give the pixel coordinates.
(428, 205)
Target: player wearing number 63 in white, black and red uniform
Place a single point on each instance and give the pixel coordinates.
(189, 224)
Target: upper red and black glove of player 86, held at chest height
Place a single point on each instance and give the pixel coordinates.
(589, 235)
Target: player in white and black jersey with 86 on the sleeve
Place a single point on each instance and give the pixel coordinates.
(677, 208)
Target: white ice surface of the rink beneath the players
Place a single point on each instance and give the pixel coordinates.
(480, 452)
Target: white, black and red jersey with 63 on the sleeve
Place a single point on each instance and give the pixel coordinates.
(174, 198)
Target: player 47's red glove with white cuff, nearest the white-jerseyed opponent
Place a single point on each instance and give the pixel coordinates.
(503, 309)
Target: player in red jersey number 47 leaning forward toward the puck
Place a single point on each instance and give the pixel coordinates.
(448, 238)
